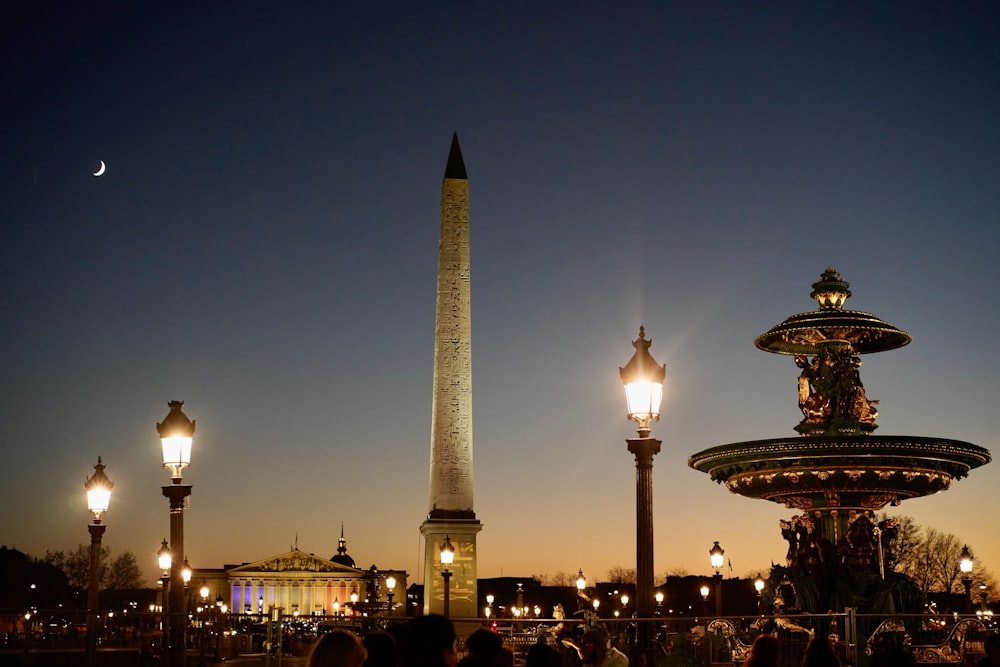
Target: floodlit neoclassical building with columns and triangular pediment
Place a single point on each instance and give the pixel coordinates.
(302, 584)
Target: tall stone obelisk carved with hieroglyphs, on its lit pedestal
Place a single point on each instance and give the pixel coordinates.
(451, 514)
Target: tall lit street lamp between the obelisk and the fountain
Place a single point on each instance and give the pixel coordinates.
(643, 380)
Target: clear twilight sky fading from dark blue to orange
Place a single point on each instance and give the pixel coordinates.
(263, 246)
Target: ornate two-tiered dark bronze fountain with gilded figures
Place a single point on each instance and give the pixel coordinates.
(836, 472)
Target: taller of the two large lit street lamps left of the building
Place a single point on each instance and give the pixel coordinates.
(176, 435)
